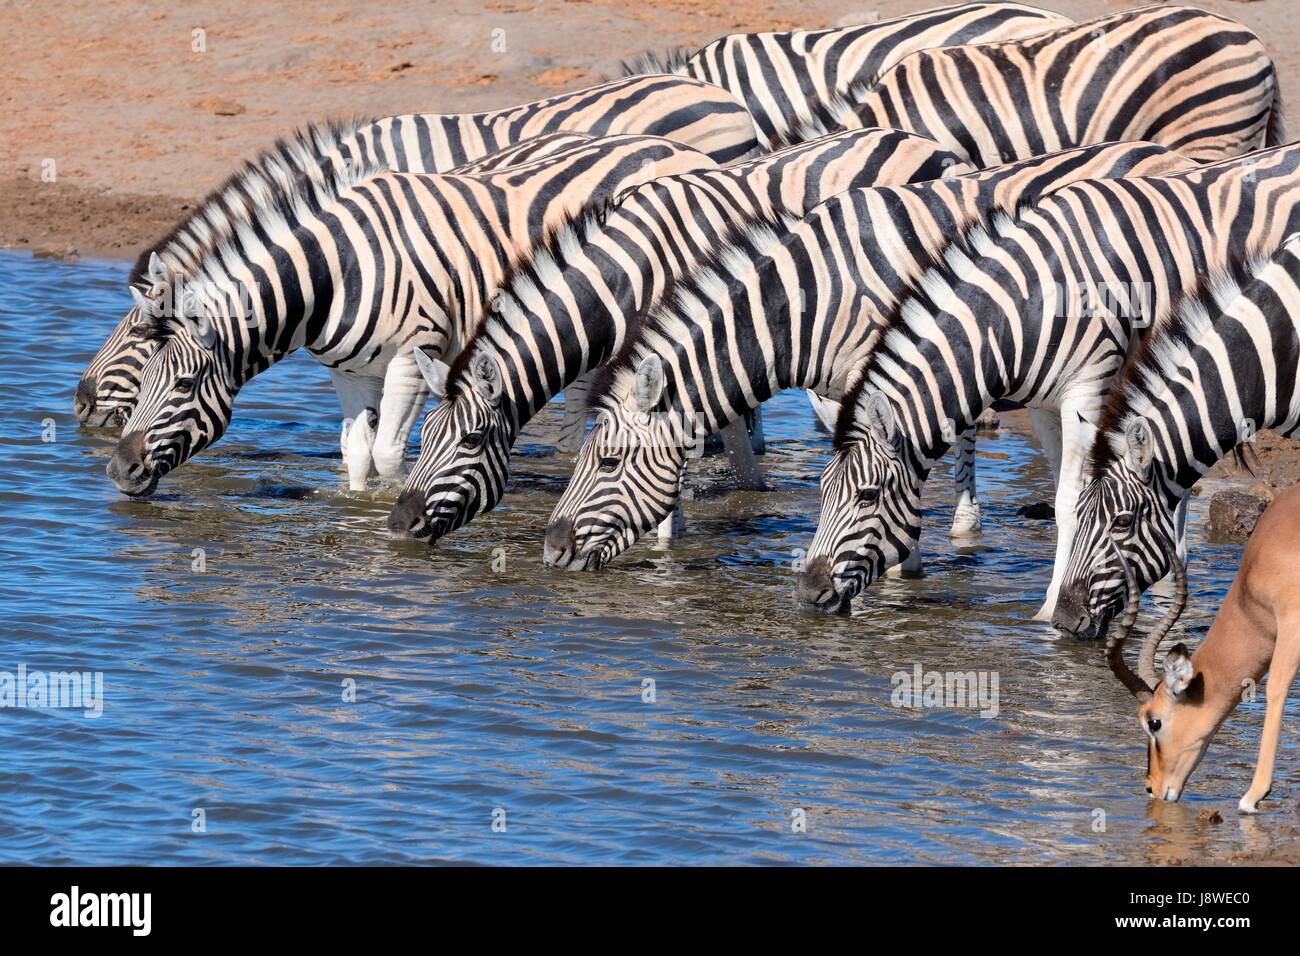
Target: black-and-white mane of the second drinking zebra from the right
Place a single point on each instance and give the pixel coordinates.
(921, 300)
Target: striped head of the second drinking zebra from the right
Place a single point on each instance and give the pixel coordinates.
(870, 508)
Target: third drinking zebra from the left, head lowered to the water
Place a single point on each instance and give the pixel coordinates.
(566, 308)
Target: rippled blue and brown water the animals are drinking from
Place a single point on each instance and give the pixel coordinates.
(487, 684)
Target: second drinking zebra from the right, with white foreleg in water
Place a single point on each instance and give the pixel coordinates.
(1038, 310)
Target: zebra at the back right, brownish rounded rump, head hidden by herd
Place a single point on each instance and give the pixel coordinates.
(1194, 81)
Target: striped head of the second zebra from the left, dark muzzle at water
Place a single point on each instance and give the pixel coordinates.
(187, 393)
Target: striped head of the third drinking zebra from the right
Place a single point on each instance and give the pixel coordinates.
(627, 478)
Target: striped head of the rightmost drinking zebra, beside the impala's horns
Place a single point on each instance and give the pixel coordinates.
(1125, 526)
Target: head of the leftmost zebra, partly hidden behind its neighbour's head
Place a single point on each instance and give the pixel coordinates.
(107, 390)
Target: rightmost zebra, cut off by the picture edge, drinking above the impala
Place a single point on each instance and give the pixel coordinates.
(1224, 366)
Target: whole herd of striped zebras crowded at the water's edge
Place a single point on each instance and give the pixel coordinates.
(913, 220)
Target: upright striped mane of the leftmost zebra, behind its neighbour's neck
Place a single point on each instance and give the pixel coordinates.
(285, 167)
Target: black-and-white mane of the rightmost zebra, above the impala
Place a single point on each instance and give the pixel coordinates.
(1167, 345)
